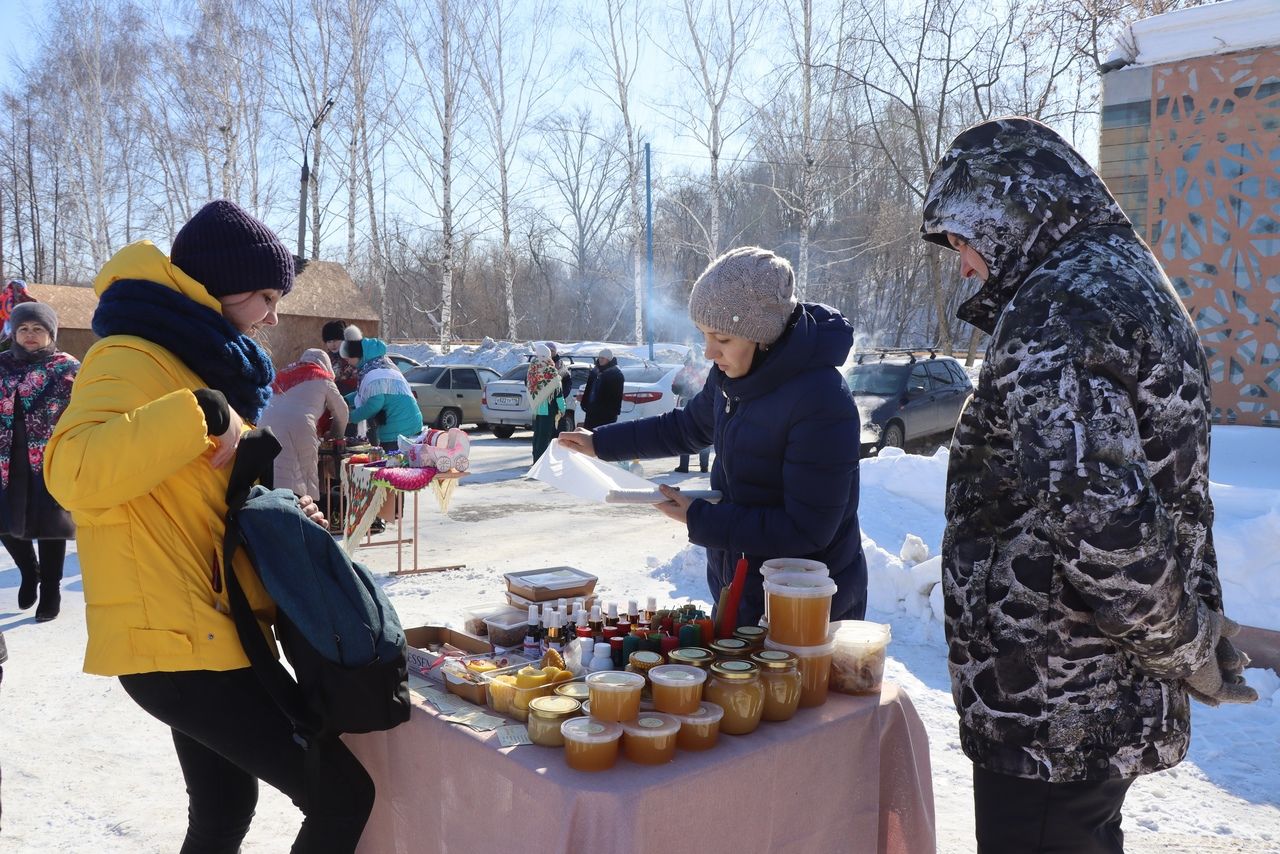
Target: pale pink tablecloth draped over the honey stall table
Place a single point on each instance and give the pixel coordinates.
(848, 777)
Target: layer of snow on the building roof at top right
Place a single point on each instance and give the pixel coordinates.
(1201, 31)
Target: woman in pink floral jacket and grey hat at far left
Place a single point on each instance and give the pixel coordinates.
(35, 387)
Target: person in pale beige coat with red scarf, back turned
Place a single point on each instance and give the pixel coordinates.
(300, 395)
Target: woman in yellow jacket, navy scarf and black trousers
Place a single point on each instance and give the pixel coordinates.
(141, 460)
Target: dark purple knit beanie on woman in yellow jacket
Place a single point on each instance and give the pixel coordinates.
(230, 252)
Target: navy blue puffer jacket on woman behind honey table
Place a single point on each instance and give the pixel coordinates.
(787, 462)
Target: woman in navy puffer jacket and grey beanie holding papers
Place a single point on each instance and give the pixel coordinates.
(784, 427)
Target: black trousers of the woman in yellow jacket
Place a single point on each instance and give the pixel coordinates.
(230, 734)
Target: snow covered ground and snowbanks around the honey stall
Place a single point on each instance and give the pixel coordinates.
(86, 771)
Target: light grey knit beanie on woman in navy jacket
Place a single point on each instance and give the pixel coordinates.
(748, 293)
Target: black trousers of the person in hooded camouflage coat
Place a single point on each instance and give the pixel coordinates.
(1020, 816)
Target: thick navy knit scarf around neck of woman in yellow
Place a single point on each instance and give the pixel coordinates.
(227, 360)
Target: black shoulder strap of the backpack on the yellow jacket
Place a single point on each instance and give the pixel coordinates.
(255, 462)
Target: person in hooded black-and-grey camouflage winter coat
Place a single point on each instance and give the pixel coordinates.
(1082, 593)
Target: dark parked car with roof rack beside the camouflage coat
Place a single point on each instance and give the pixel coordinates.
(906, 398)
